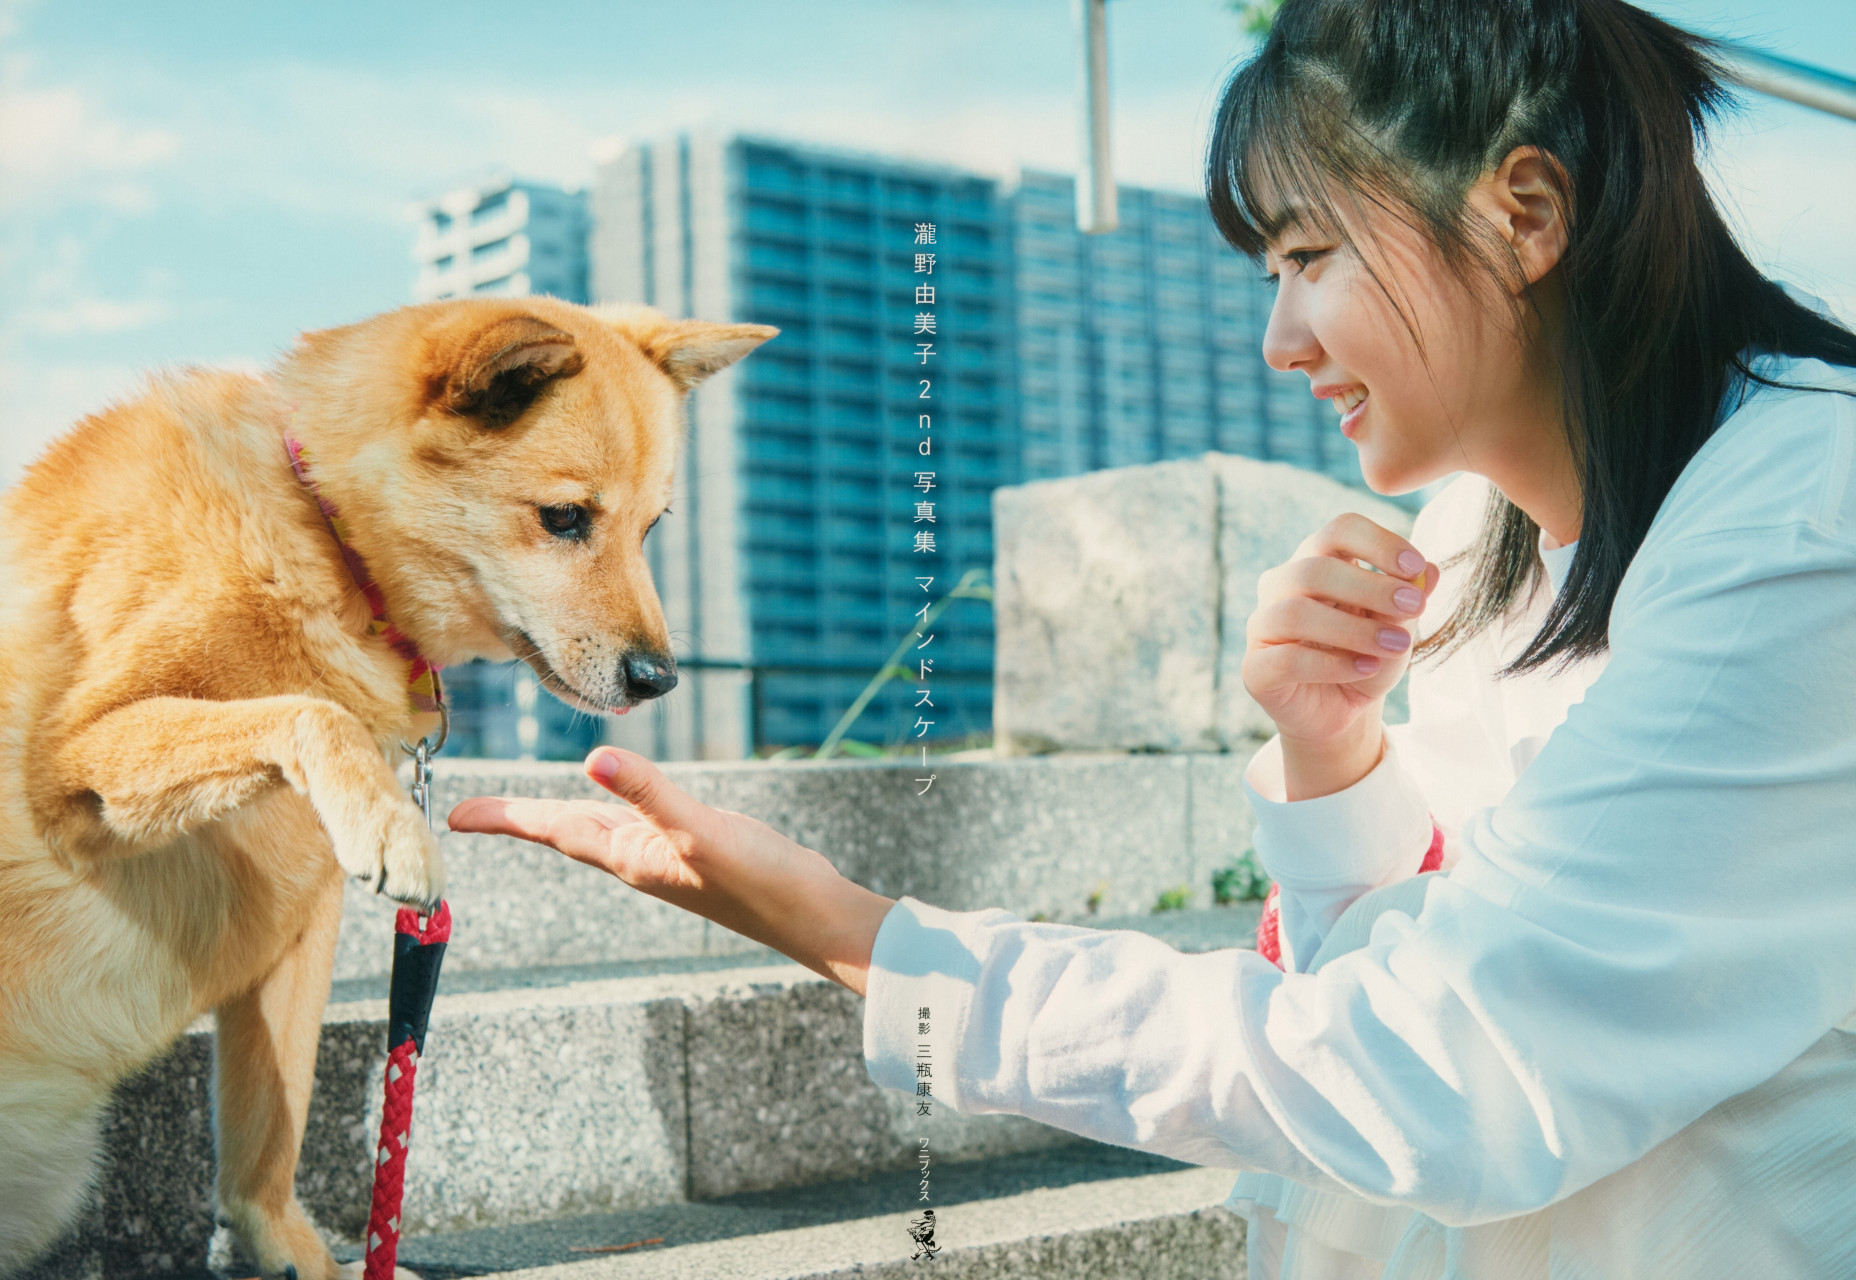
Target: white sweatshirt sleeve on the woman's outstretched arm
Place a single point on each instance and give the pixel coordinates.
(1660, 915)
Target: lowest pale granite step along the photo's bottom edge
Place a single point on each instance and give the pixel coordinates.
(1074, 1212)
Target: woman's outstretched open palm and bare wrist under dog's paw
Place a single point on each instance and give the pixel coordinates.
(717, 864)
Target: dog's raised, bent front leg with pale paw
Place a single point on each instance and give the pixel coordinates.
(159, 769)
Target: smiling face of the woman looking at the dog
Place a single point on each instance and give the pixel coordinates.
(1480, 396)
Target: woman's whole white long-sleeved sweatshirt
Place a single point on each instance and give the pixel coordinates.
(1605, 1040)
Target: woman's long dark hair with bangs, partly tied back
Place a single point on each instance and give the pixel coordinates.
(1404, 105)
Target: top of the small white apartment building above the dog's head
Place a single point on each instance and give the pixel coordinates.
(502, 238)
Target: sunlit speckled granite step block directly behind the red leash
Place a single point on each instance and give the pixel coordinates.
(532, 1105)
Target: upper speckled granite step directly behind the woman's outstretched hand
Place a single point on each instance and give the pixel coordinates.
(1033, 836)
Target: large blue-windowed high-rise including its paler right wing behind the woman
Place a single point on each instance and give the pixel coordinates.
(788, 570)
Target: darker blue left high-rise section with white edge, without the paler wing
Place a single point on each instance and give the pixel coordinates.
(790, 569)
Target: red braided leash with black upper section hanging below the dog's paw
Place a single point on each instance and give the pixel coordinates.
(419, 953)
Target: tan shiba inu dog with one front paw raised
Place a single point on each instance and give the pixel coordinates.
(200, 719)
